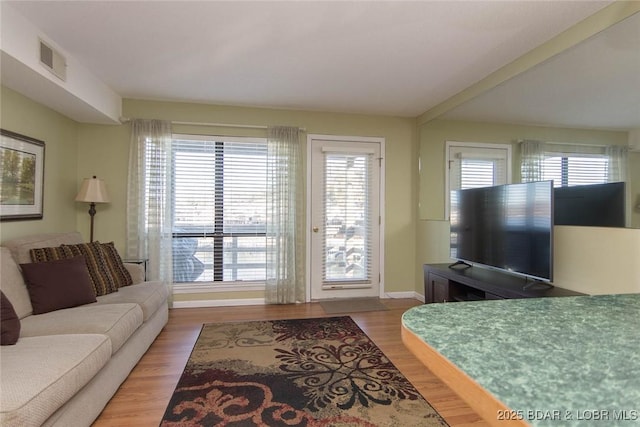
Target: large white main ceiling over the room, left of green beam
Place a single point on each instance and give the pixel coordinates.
(396, 58)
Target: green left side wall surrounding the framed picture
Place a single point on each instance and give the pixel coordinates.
(26, 117)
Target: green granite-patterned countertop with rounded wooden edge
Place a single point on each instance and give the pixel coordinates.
(553, 361)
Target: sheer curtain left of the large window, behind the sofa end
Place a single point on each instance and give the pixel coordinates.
(149, 214)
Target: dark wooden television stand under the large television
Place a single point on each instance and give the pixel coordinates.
(444, 284)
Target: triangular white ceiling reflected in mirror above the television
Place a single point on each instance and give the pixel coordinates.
(595, 84)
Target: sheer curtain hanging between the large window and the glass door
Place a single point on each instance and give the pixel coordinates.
(285, 254)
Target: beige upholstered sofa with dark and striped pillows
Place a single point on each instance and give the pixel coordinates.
(68, 363)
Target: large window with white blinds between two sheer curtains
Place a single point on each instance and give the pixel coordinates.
(219, 209)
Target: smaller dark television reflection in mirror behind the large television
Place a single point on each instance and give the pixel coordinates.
(601, 205)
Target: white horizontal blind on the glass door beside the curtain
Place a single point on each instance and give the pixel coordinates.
(347, 218)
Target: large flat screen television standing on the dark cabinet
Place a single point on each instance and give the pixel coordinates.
(507, 227)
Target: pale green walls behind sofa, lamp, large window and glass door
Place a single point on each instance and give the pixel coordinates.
(75, 151)
